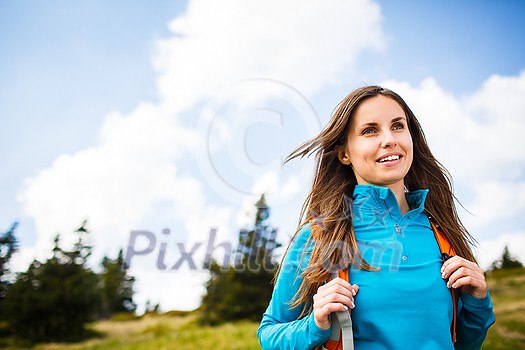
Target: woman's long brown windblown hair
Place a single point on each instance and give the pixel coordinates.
(328, 205)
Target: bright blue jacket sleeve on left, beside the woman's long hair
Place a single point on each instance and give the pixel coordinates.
(280, 327)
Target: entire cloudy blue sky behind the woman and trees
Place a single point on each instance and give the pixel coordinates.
(162, 123)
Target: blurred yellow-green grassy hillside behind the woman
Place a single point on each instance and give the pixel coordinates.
(168, 332)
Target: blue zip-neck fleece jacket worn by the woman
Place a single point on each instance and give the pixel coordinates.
(405, 304)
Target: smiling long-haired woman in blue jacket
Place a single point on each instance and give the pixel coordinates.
(376, 185)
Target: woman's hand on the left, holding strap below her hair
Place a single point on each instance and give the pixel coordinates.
(336, 295)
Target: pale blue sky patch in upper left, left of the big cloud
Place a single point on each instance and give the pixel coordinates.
(64, 66)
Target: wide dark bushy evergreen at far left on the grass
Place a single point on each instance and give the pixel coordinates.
(55, 299)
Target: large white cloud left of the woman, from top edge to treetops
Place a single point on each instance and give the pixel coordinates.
(139, 174)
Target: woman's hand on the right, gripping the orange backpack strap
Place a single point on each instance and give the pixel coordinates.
(464, 274)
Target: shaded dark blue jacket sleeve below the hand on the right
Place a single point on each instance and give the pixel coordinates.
(475, 318)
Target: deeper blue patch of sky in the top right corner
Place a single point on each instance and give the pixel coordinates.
(460, 43)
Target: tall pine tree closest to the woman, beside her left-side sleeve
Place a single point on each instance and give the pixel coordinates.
(242, 290)
